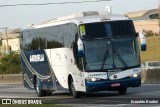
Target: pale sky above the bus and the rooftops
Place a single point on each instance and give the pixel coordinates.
(20, 16)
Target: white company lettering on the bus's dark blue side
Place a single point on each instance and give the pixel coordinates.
(37, 58)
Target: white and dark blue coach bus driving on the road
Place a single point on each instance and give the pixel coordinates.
(86, 52)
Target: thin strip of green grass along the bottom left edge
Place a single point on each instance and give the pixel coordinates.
(31, 105)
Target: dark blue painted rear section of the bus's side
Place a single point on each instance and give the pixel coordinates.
(41, 67)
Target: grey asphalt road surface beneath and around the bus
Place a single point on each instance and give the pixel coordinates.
(147, 92)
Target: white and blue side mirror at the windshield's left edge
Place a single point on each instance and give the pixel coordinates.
(80, 48)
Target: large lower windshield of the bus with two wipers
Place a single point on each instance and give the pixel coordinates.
(108, 54)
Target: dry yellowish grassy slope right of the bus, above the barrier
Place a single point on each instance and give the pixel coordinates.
(153, 50)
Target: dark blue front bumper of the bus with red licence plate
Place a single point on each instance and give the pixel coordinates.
(112, 85)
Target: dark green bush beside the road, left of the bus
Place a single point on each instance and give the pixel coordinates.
(10, 64)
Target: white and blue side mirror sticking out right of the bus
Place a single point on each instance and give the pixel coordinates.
(143, 41)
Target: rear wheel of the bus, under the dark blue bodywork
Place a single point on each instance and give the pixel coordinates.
(38, 88)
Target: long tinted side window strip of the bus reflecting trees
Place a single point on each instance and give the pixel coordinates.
(49, 37)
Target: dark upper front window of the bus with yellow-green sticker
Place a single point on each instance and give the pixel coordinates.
(107, 29)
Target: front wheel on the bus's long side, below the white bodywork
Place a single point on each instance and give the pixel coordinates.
(73, 91)
